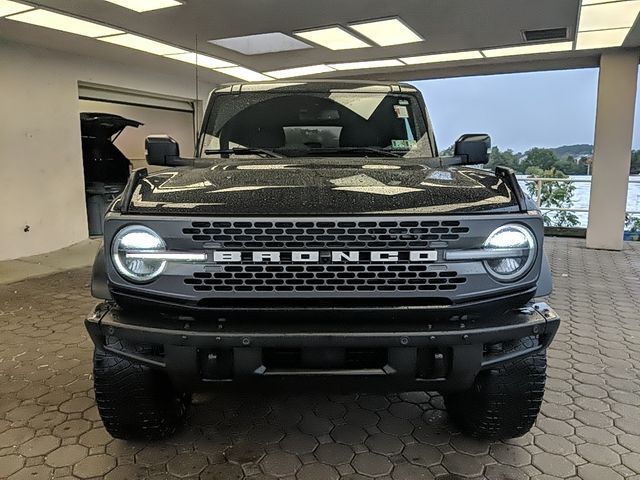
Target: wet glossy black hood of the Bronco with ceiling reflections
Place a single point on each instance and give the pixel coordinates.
(321, 186)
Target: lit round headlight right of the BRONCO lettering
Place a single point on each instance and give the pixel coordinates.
(513, 251)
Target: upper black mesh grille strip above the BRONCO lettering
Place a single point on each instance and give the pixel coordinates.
(324, 234)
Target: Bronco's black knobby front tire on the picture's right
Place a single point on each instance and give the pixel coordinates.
(504, 401)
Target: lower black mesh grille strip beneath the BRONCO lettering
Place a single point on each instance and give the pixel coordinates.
(325, 278)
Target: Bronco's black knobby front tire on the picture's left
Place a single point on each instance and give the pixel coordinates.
(135, 402)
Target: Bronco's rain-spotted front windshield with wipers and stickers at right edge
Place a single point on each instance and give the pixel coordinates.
(287, 124)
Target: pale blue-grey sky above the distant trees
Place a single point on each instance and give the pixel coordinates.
(519, 111)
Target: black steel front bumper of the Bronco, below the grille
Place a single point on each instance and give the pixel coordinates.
(420, 354)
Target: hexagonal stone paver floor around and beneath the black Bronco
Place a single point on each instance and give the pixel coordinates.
(589, 427)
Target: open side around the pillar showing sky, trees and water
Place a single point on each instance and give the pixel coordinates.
(542, 125)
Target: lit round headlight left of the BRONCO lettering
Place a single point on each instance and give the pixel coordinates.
(138, 239)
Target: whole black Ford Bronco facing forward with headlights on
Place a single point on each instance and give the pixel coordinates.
(318, 238)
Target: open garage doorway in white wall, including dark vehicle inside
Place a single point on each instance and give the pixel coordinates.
(106, 165)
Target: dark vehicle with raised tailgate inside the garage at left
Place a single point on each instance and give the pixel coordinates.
(106, 168)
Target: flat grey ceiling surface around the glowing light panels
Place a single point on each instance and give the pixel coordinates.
(445, 26)
